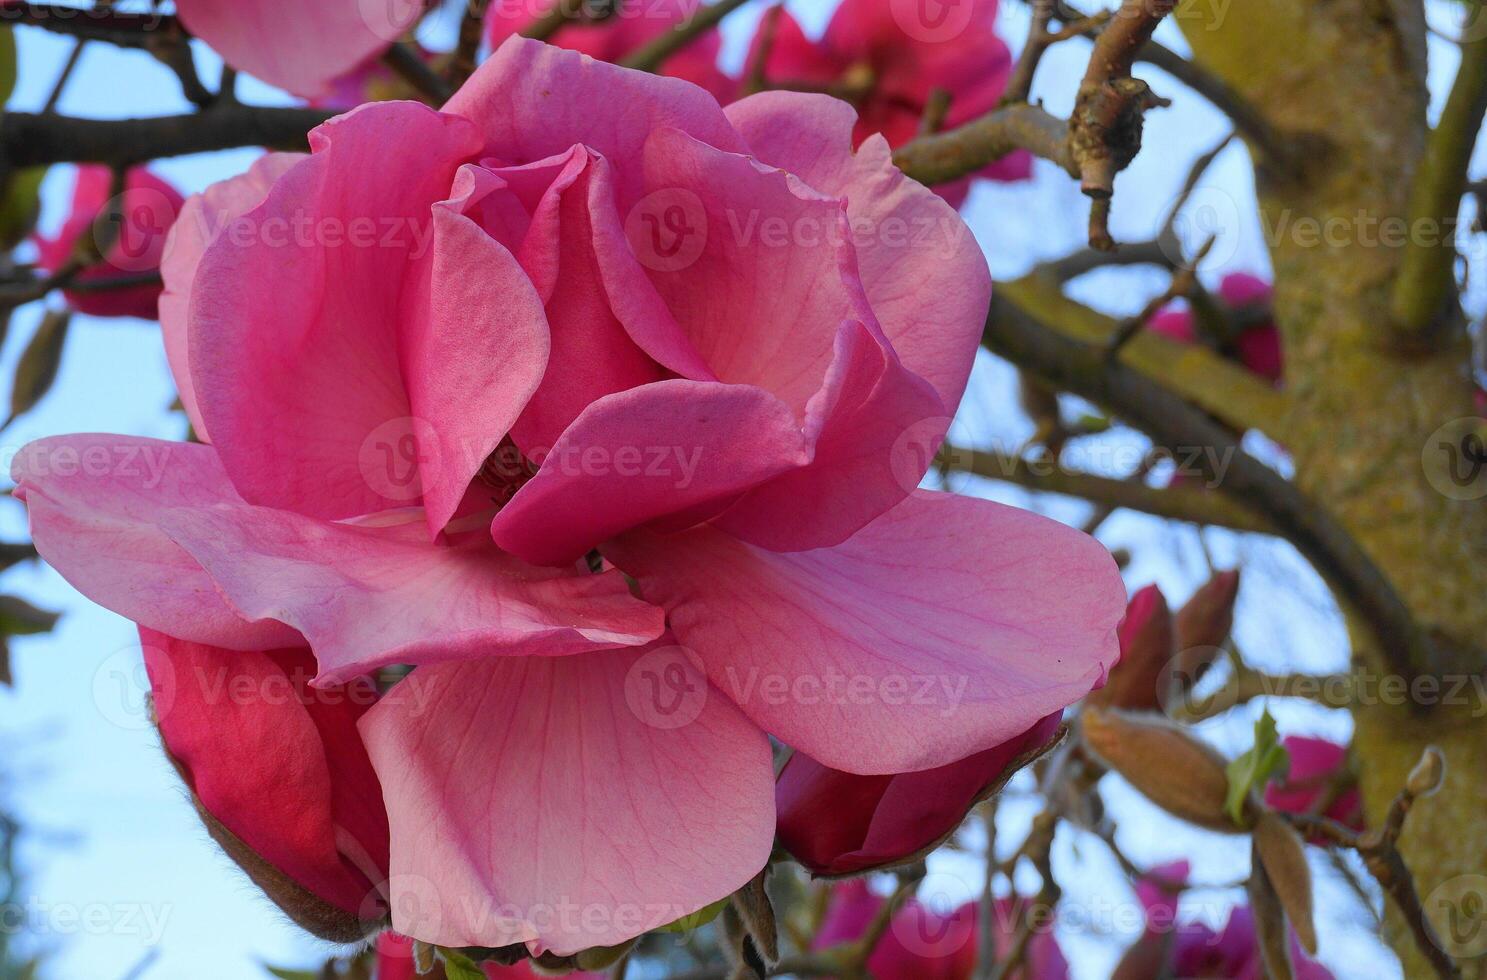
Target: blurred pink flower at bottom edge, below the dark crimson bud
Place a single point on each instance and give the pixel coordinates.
(921, 944)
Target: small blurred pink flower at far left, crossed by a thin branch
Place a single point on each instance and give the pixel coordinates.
(136, 228)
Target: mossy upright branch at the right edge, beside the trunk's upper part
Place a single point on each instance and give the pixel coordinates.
(1425, 298)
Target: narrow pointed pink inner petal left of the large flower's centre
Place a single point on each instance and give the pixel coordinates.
(475, 349)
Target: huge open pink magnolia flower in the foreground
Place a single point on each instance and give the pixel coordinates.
(734, 422)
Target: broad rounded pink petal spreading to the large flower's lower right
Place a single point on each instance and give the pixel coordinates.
(944, 628)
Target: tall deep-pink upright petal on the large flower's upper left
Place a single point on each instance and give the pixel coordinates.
(294, 322)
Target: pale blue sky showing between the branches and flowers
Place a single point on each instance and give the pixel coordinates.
(120, 865)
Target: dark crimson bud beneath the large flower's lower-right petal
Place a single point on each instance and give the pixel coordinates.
(838, 823)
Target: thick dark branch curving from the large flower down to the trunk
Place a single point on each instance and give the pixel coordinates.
(1085, 371)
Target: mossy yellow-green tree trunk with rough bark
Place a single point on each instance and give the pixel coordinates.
(1348, 78)
